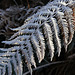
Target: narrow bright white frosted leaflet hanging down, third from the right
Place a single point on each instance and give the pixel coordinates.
(56, 35)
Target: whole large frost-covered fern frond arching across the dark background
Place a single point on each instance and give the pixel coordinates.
(40, 32)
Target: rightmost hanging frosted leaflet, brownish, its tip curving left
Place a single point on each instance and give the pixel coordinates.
(68, 12)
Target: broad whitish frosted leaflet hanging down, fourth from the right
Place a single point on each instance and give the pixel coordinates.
(49, 38)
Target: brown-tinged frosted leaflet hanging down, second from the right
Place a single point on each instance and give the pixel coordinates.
(64, 27)
